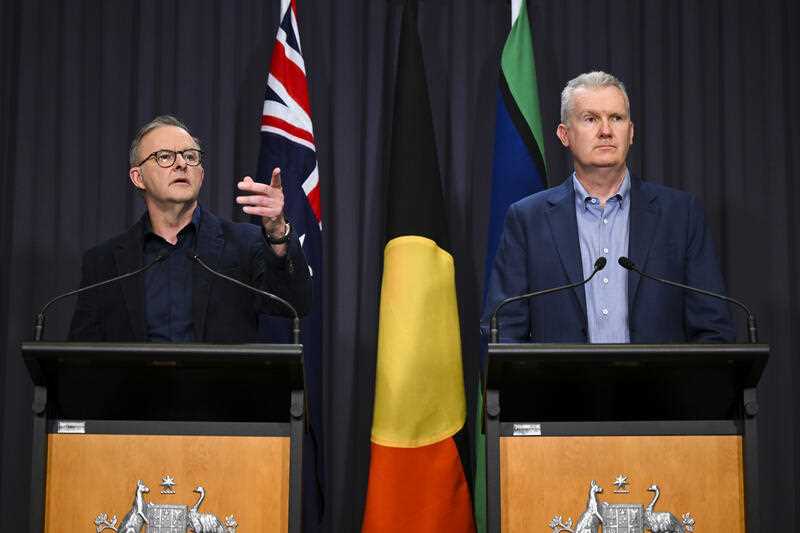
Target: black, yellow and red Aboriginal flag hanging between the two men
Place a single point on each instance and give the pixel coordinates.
(416, 478)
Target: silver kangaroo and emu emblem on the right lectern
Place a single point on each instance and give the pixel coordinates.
(622, 517)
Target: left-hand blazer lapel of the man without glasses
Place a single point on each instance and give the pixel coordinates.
(564, 229)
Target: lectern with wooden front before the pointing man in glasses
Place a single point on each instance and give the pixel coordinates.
(166, 436)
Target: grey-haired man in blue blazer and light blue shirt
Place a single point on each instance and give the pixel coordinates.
(554, 237)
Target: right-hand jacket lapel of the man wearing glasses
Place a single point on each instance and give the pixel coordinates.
(210, 243)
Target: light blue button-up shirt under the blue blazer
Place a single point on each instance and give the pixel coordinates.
(603, 231)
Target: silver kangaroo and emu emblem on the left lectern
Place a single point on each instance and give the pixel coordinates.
(148, 517)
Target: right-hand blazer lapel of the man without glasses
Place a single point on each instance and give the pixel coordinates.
(644, 219)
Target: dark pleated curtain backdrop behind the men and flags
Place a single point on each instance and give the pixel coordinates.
(714, 95)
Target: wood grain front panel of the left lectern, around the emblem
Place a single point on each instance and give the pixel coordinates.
(244, 476)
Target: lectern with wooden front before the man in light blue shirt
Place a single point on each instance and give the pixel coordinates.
(576, 433)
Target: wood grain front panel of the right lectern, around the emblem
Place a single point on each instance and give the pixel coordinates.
(541, 477)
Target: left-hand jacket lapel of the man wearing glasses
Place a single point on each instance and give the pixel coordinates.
(128, 256)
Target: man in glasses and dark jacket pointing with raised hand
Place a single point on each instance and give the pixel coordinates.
(176, 300)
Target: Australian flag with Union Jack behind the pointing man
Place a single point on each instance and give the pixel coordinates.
(287, 141)
